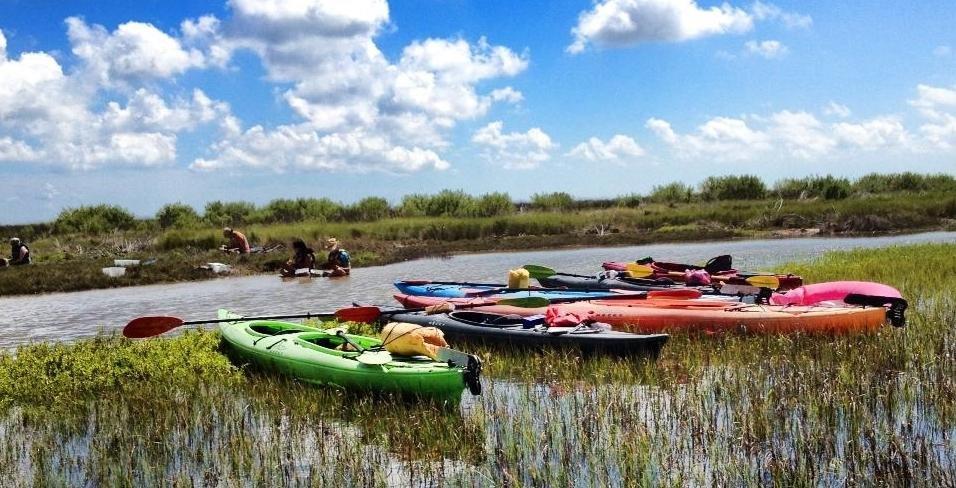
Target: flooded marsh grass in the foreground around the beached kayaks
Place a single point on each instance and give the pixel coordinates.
(728, 410)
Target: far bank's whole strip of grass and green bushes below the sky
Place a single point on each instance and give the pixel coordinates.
(70, 252)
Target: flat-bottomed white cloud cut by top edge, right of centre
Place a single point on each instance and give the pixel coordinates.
(617, 23)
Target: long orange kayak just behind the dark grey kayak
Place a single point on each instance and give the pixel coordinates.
(698, 315)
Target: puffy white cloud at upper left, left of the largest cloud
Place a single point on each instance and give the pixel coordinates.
(134, 52)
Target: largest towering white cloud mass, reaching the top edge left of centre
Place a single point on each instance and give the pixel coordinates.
(362, 110)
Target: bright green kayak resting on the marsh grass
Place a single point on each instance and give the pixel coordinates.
(313, 355)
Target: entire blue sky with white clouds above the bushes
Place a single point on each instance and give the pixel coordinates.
(145, 103)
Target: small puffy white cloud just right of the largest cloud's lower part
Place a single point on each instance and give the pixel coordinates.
(513, 150)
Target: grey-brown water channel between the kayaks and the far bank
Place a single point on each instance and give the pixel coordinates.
(69, 316)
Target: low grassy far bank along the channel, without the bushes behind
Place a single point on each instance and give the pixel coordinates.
(73, 261)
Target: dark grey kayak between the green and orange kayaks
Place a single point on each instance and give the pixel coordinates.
(497, 329)
